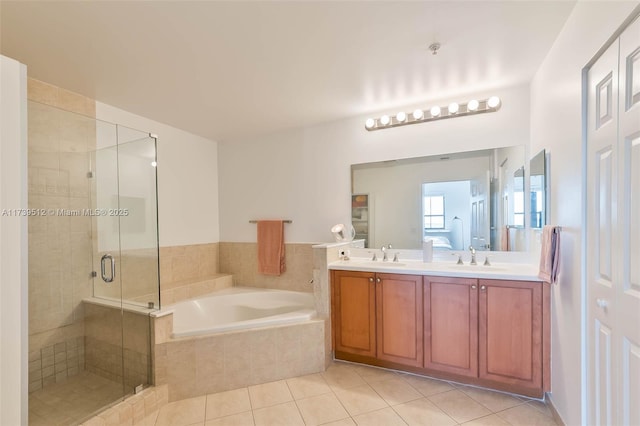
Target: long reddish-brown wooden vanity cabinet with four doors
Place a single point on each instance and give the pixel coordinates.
(489, 332)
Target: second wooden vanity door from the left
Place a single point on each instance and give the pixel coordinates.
(399, 314)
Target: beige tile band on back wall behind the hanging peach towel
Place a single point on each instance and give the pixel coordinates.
(241, 260)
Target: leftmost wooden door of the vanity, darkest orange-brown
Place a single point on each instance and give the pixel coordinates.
(354, 312)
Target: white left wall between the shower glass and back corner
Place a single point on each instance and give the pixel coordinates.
(187, 179)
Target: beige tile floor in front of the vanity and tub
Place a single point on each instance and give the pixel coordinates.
(349, 394)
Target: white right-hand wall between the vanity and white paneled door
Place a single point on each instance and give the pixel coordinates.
(556, 126)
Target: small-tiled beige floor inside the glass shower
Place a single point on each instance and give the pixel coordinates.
(70, 401)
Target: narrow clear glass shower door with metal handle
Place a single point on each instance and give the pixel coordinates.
(104, 325)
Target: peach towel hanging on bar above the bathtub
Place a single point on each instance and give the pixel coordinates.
(271, 247)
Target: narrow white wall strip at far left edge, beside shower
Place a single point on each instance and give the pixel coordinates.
(13, 244)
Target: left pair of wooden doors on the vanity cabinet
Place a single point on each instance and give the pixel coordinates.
(379, 316)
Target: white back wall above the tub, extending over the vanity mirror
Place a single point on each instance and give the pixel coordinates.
(304, 174)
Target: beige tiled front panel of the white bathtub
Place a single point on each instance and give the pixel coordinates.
(212, 363)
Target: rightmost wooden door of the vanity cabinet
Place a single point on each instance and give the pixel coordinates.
(510, 315)
